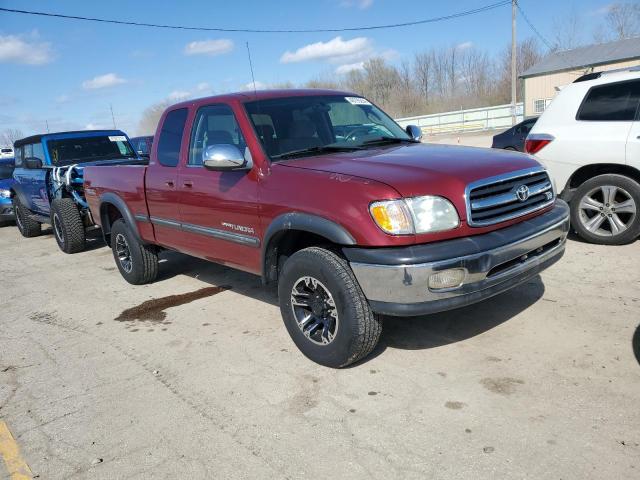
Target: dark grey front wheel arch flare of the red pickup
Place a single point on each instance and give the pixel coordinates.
(290, 232)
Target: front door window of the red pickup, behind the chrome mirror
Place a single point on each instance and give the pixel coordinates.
(214, 125)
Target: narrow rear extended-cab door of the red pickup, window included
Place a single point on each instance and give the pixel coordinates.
(162, 177)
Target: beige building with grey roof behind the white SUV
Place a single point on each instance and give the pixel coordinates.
(542, 81)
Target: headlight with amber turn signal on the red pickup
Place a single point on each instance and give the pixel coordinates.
(407, 216)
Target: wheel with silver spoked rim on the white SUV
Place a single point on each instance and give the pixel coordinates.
(606, 210)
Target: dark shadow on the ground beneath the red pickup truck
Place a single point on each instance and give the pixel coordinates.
(413, 333)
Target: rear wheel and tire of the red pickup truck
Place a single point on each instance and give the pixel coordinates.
(138, 263)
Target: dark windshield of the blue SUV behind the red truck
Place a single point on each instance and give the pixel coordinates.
(68, 151)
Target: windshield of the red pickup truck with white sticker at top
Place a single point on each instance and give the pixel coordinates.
(298, 125)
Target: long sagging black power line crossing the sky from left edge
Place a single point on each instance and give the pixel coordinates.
(251, 30)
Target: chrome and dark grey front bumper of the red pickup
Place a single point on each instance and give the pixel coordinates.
(396, 280)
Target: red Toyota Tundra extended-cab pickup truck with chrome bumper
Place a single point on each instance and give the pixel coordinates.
(324, 193)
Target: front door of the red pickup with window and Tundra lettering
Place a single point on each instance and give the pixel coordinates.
(218, 210)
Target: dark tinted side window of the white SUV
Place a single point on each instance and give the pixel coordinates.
(616, 102)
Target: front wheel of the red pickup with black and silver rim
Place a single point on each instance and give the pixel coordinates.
(332, 287)
